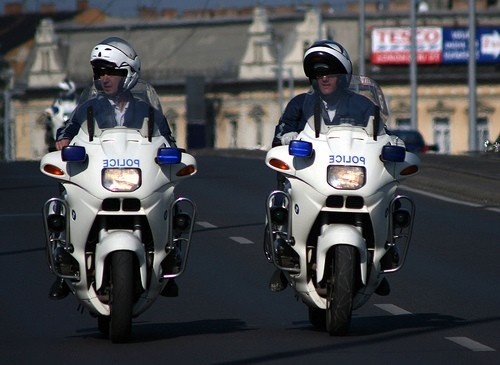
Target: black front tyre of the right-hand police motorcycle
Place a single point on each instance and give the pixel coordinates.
(340, 291)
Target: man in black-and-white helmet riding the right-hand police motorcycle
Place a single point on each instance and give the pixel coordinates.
(329, 68)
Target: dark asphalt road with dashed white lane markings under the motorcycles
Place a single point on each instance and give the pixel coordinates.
(443, 306)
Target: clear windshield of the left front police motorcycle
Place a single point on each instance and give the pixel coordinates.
(145, 114)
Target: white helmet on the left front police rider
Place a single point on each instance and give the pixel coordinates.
(115, 53)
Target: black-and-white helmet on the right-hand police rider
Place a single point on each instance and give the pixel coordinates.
(326, 58)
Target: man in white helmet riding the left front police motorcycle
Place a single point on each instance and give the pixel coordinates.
(116, 67)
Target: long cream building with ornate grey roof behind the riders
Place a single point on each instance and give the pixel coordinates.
(244, 66)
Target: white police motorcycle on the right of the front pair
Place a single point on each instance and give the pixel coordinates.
(339, 226)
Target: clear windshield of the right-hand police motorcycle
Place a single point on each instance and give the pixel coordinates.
(346, 101)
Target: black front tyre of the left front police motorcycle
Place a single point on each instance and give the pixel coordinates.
(122, 296)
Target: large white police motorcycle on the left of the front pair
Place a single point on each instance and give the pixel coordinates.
(118, 234)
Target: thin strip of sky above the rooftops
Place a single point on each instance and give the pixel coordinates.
(128, 7)
